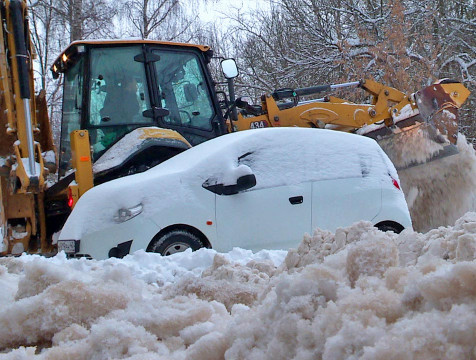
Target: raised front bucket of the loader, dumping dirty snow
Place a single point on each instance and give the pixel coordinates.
(430, 131)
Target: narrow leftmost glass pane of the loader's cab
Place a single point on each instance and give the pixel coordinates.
(72, 106)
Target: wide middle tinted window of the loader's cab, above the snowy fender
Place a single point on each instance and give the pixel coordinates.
(118, 95)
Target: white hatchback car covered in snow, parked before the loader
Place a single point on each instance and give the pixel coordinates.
(256, 189)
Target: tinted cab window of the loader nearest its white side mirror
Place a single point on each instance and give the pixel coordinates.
(183, 90)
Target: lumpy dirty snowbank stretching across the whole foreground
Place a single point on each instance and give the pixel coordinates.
(358, 293)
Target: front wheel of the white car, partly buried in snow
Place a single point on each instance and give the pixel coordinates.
(176, 241)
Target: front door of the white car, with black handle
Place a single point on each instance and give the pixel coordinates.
(274, 214)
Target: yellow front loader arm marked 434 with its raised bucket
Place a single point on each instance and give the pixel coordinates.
(433, 110)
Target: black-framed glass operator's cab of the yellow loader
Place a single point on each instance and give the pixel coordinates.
(114, 87)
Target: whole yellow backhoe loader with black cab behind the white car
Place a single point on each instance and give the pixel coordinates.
(131, 104)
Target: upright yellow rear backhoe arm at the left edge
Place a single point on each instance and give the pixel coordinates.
(25, 135)
